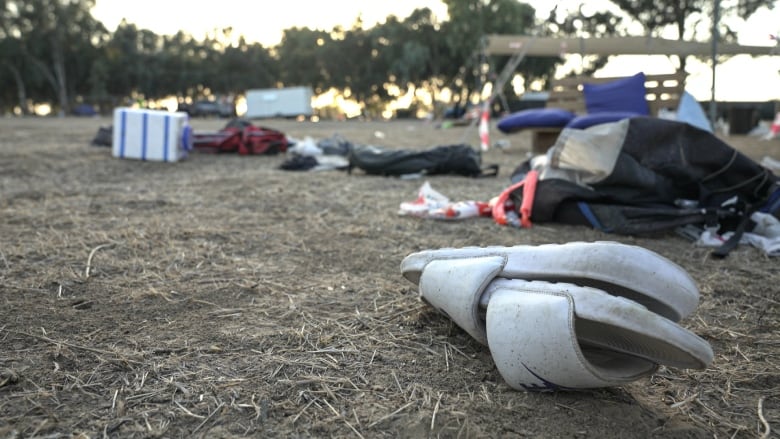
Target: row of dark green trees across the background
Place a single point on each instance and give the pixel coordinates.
(54, 51)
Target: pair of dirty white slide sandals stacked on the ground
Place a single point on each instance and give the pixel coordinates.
(545, 334)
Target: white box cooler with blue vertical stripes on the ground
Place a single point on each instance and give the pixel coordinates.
(151, 135)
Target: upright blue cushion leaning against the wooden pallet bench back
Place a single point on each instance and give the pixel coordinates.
(627, 94)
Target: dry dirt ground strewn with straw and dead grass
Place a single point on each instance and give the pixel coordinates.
(222, 297)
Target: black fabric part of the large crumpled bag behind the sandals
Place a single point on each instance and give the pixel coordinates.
(667, 175)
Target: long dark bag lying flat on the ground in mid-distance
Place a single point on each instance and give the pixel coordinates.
(447, 159)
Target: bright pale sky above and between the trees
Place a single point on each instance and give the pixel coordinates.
(741, 78)
